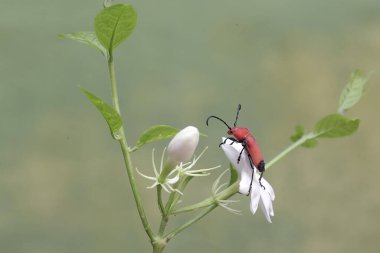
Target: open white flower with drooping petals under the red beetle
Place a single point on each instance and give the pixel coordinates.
(260, 195)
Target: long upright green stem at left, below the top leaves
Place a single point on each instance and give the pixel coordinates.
(126, 155)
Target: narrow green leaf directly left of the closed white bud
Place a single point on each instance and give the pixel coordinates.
(156, 133)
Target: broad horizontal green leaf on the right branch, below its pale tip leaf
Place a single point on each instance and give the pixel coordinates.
(335, 125)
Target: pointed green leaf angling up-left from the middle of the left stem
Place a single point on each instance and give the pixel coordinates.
(111, 116)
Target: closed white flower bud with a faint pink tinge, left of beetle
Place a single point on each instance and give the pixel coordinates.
(181, 148)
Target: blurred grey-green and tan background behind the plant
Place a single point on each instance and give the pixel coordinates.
(63, 187)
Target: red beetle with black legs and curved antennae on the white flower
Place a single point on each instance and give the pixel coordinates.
(243, 136)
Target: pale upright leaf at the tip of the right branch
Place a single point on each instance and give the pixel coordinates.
(352, 92)
